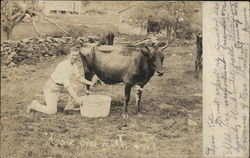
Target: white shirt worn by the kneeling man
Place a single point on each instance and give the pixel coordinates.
(63, 72)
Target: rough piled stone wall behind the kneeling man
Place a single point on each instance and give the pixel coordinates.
(33, 50)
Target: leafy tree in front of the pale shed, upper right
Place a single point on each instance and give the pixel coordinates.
(172, 16)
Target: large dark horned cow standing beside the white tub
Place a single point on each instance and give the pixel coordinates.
(131, 65)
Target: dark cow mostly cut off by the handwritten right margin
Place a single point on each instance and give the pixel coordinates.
(198, 60)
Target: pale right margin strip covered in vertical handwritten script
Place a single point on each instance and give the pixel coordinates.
(226, 79)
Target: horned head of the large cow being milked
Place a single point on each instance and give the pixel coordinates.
(156, 57)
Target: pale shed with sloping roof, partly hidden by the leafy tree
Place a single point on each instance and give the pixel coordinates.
(125, 25)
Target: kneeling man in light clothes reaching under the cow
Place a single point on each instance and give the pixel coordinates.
(62, 77)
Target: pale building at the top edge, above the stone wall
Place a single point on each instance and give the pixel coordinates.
(60, 6)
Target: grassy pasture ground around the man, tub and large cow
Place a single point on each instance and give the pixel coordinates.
(161, 131)
